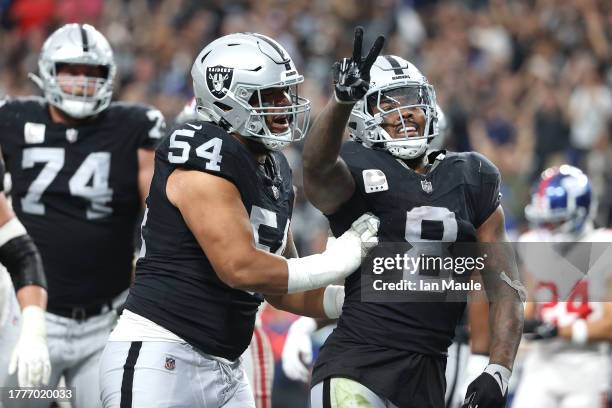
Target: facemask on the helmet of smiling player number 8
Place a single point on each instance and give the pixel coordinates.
(388, 104)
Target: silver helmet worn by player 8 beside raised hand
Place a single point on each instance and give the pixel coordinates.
(399, 85)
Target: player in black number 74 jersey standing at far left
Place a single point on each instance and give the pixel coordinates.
(81, 167)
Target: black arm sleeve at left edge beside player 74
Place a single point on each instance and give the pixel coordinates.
(23, 262)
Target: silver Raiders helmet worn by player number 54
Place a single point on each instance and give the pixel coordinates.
(231, 69)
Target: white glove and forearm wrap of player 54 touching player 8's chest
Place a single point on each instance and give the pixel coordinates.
(341, 257)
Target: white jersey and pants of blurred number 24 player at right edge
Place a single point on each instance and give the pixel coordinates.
(557, 372)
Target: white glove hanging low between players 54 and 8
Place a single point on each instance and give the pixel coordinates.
(297, 352)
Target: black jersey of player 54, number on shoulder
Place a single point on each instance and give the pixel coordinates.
(176, 285)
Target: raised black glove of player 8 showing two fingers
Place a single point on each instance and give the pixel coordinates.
(352, 75)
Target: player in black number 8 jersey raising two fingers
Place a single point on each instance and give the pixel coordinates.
(395, 353)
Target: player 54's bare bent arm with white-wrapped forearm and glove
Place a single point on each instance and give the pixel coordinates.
(196, 194)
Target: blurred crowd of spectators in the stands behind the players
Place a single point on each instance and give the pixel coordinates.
(525, 82)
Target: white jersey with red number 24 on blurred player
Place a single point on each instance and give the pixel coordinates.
(564, 292)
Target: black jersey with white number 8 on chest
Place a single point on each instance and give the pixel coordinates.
(460, 191)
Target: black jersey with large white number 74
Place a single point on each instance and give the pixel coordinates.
(76, 192)
